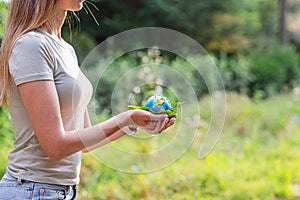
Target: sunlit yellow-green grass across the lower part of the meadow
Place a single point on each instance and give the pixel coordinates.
(257, 157)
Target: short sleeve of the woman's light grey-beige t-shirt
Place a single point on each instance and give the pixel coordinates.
(30, 60)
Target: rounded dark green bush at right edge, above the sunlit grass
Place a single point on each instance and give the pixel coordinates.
(273, 69)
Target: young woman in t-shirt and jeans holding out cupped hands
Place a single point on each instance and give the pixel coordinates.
(48, 96)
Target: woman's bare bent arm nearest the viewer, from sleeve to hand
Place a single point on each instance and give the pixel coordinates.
(42, 105)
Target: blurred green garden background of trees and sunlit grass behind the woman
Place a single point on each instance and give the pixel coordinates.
(255, 45)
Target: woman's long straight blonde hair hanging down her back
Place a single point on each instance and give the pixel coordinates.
(24, 16)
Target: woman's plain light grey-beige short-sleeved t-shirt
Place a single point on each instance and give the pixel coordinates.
(38, 56)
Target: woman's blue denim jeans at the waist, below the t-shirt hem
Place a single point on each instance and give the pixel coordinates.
(13, 189)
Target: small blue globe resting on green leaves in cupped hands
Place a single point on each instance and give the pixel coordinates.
(158, 103)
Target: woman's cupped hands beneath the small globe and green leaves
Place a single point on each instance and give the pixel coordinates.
(152, 123)
